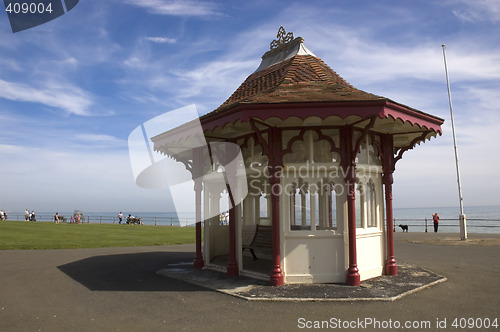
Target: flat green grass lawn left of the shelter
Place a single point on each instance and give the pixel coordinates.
(47, 235)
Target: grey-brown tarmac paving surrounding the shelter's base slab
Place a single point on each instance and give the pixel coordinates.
(116, 289)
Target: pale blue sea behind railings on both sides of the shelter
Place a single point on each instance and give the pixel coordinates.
(480, 219)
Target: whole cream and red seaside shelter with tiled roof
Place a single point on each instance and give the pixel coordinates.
(318, 155)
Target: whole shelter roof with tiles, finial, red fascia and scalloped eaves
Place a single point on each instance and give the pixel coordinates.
(293, 87)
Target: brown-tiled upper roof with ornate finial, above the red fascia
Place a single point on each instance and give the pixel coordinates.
(291, 74)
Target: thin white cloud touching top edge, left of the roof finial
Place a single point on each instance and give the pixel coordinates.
(178, 7)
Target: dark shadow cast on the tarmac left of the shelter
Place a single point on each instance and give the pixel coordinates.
(130, 272)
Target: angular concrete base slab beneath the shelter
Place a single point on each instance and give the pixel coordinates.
(410, 279)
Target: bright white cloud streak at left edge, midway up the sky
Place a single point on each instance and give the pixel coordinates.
(66, 97)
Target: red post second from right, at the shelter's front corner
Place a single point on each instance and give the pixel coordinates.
(353, 277)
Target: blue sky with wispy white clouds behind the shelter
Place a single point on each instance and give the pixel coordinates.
(72, 90)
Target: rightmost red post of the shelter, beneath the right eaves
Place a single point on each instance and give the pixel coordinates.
(390, 267)
